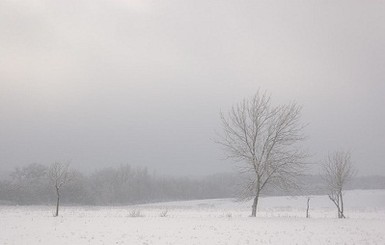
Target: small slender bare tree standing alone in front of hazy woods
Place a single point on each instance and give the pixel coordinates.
(59, 175)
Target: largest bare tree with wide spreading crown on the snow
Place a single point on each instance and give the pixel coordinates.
(264, 139)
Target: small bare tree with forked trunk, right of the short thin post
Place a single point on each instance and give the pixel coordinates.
(338, 170)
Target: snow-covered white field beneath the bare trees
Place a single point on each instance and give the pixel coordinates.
(221, 221)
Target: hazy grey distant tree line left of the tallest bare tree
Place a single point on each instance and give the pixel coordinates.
(31, 185)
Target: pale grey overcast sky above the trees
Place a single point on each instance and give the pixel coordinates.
(108, 82)
